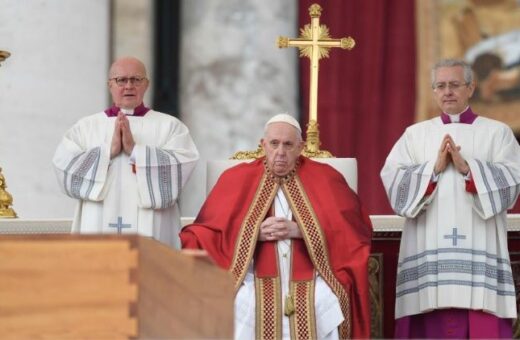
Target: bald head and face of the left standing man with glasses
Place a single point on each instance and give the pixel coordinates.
(129, 93)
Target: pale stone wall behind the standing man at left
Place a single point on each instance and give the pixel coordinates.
(55, 75)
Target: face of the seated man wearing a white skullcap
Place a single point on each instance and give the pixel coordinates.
(282, 145)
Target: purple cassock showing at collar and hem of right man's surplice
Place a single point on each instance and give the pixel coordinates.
(454, 323)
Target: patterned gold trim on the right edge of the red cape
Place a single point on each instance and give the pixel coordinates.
(317, 246)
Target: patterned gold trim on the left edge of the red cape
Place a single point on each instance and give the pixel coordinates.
(247, 238)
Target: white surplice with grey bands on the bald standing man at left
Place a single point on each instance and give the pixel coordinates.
(112, 197)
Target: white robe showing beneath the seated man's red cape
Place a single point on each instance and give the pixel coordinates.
(326, 304)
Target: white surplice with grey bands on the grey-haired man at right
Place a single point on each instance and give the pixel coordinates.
(454, 243)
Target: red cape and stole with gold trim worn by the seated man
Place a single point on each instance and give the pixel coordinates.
(335, 244)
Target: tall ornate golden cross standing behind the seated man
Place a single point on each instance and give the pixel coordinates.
(314, 43)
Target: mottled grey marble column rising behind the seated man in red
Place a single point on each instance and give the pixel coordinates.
(234, 77)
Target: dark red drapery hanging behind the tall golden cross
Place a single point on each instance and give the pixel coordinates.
(366, 96)
